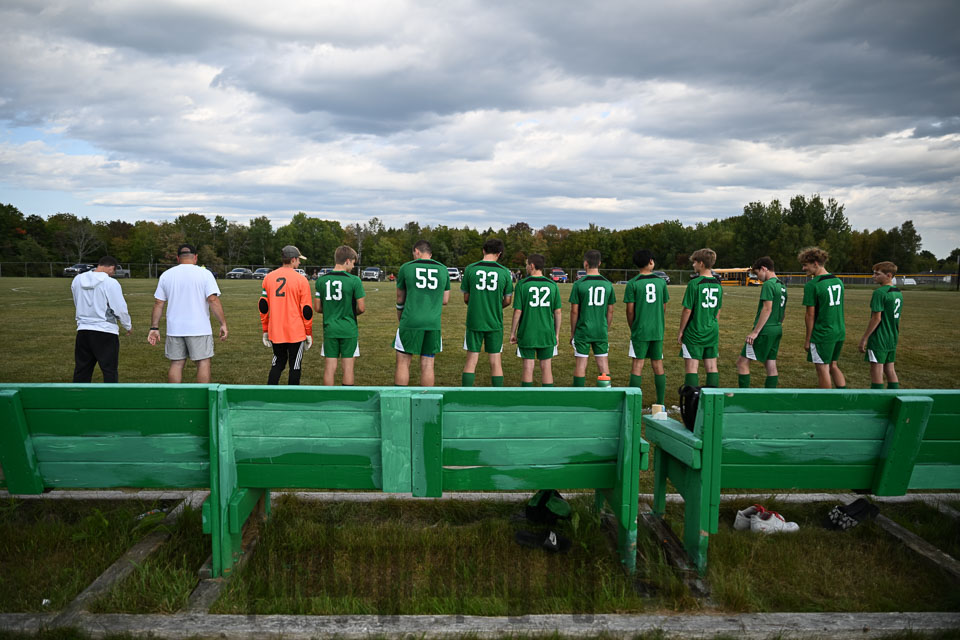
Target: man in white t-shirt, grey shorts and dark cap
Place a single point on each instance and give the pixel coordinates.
(191, 294)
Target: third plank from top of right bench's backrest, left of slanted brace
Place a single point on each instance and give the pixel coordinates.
(800, 452)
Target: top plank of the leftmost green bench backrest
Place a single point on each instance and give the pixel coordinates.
(113, 396)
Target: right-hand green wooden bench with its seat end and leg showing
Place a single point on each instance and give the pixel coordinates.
(883, 441)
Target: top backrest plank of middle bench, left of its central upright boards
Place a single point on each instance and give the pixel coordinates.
(285, 398)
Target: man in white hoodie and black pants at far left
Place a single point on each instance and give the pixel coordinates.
(100, 310)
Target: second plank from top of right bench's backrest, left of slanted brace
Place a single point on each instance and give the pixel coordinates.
(825, 426)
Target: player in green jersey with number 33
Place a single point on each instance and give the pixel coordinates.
(487, 288)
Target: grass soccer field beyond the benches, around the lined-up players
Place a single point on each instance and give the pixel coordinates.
(37, 317)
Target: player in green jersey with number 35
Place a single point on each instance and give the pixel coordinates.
(699, 336)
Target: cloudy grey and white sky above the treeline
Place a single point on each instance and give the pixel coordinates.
(482, 113)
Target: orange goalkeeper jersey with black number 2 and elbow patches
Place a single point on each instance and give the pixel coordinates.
(286, 308)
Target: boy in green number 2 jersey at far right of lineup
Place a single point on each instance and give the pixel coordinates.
(879, 341)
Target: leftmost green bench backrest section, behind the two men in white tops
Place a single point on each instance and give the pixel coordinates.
(104, 436)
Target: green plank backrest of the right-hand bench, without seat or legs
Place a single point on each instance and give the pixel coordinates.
(816, 439)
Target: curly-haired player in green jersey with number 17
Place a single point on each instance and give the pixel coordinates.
(823, 297)
